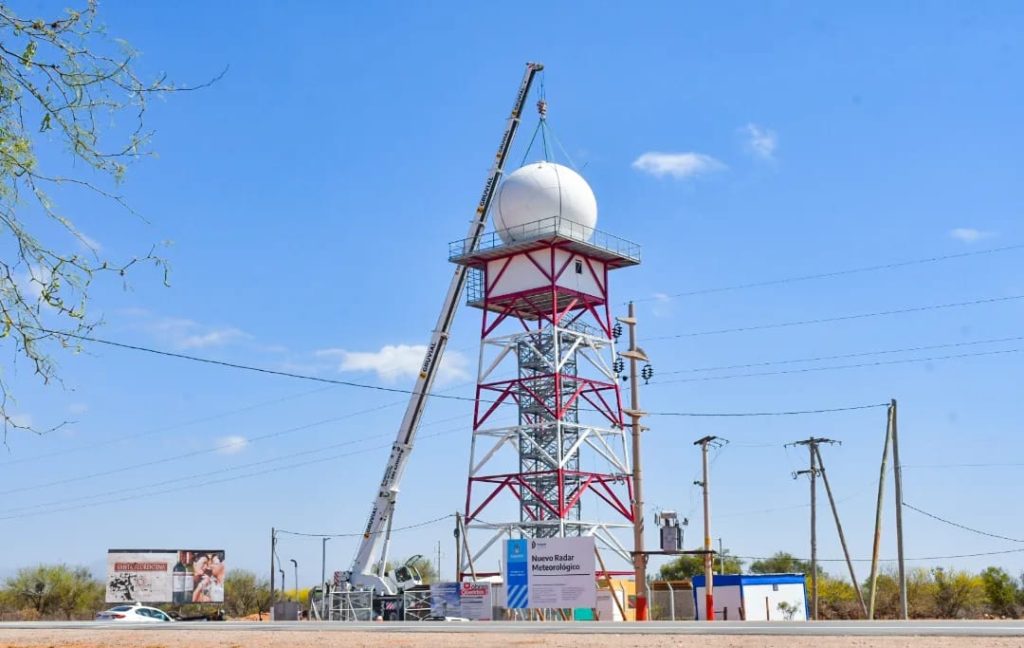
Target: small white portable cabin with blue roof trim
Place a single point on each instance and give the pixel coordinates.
(754, 597)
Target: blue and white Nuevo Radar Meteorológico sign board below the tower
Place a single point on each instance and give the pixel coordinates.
(550, 573)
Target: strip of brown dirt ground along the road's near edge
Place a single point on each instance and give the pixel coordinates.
(282, 639)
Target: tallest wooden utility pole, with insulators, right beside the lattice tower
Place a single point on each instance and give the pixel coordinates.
(636, 355)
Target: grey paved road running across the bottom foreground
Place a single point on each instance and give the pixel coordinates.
(792, 629)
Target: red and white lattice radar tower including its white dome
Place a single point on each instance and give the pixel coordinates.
(561, 467)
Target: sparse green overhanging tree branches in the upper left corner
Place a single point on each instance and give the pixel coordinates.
(72, 118)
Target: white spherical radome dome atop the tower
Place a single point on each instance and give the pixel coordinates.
(545, 192)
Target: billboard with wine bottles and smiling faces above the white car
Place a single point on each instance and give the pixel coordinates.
(165, 576)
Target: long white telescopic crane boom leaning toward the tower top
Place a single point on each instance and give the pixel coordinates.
(376, 538)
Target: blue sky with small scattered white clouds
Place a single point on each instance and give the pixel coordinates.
(311, 195)
